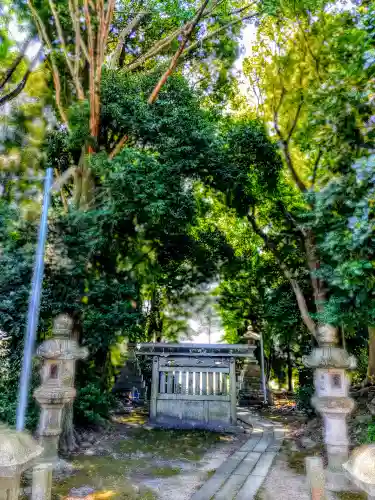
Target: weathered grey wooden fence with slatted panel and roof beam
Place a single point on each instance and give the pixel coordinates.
(194, 386)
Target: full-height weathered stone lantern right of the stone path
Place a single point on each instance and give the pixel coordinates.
(332, 400)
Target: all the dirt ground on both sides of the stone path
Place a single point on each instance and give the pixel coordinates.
(132, 461)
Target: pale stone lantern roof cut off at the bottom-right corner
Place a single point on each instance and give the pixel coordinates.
(360, 468)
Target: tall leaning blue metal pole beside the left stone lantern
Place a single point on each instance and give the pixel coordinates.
(34, 304)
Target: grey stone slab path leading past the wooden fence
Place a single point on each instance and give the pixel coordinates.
(242, 474)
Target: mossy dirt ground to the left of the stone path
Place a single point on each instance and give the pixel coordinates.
(132, 461)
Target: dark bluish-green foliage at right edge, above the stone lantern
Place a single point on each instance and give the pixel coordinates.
(343, 221)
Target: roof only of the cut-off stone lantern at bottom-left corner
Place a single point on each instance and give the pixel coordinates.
(17, 451)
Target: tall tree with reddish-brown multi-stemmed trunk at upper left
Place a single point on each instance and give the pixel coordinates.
(126, 36)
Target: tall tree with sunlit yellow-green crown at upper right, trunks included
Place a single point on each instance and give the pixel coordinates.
(305, 94)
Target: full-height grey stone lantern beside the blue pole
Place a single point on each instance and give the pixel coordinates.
(60, 354)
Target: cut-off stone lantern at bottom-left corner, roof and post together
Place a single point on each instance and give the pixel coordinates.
(18, 451)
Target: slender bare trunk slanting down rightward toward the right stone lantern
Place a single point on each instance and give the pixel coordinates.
(301, 301)
